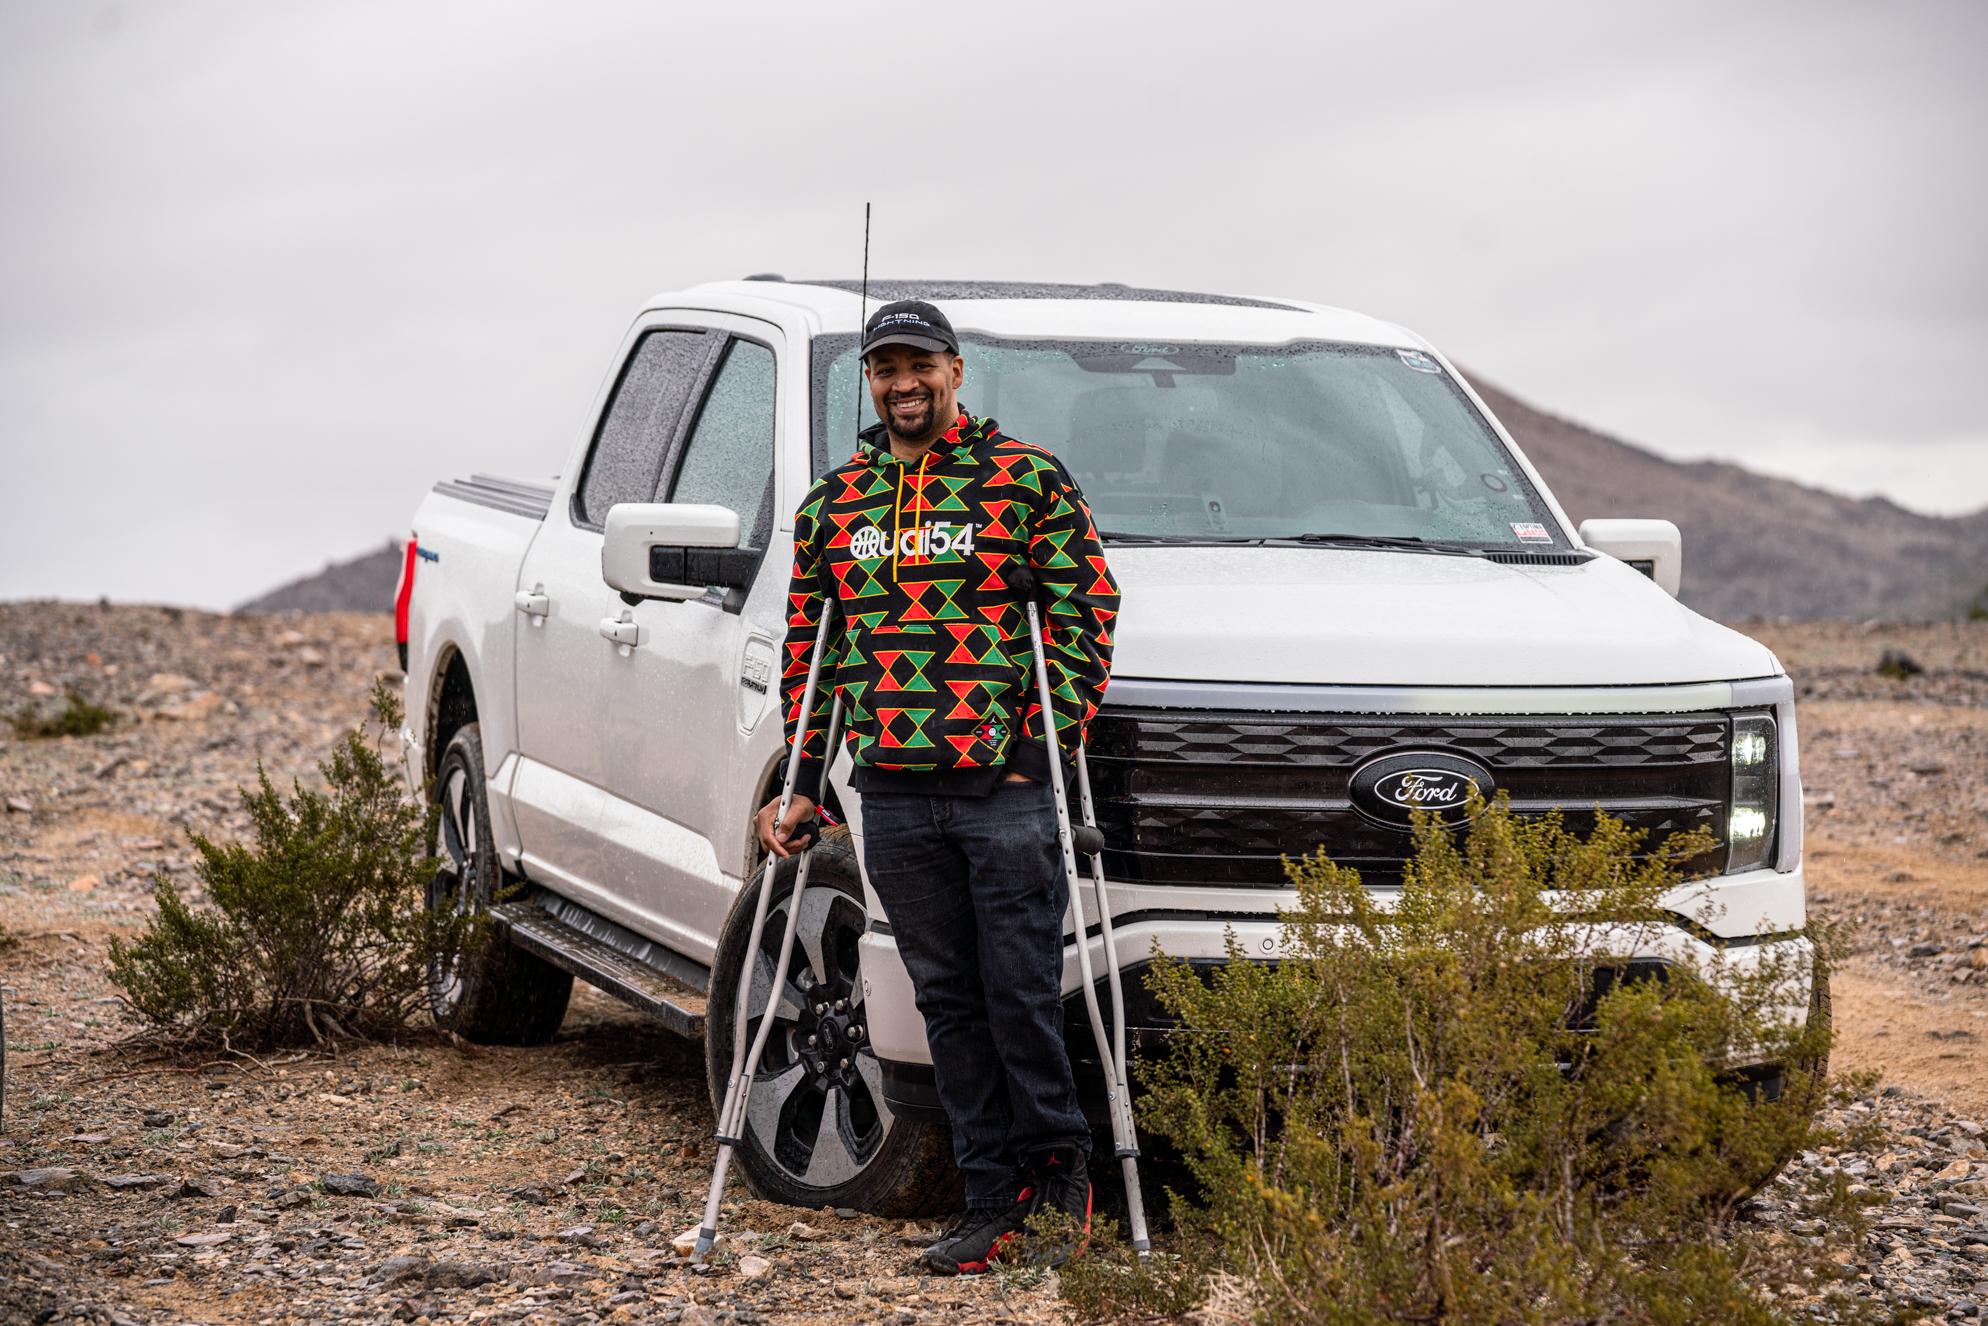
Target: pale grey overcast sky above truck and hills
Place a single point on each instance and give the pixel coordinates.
(271, 269)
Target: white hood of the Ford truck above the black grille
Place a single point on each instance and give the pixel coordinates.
(1408, 619)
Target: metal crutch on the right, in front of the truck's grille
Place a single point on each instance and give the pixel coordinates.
(1088, 840)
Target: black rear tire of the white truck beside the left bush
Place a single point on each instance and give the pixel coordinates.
(494, 995)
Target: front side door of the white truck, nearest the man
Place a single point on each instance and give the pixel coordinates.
(681, 705)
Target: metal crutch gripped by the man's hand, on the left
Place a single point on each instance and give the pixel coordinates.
(739, 1086)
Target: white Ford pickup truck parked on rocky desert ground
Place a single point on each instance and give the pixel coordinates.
(1345, 593)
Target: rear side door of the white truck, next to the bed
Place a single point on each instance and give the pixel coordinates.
(564, 659)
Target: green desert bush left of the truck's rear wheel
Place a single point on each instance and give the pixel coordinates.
(315, 929)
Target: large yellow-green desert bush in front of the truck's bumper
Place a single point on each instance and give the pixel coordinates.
(1458, 1108)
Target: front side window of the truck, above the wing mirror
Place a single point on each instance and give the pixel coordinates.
(729, 458)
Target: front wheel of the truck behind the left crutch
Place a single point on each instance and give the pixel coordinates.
(820, 1134)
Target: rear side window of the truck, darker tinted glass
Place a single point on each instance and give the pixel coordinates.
(639, 422)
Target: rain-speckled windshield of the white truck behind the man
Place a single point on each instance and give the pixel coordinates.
(1214, 442)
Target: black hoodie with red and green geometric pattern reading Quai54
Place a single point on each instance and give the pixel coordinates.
(933, 659)
